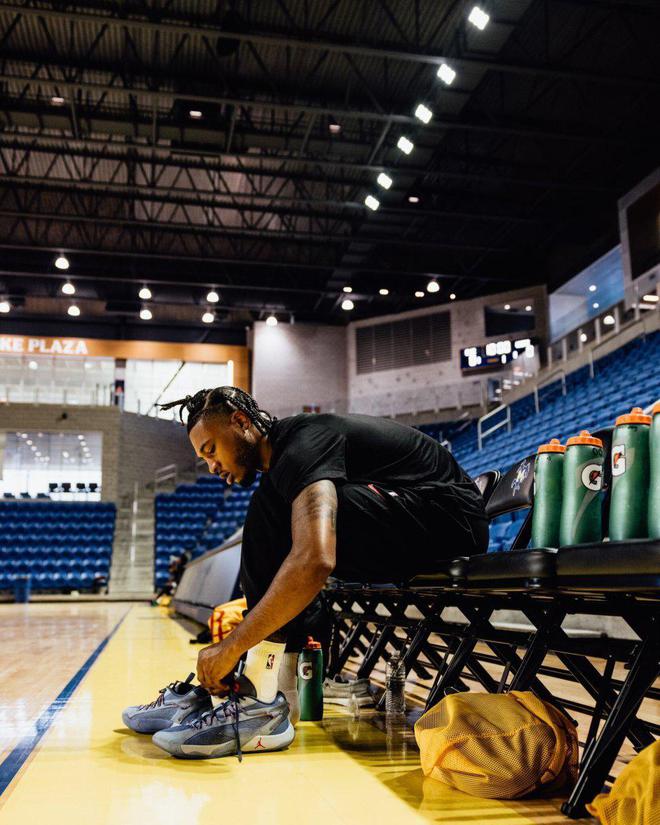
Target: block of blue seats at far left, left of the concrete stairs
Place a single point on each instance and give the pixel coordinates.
(60, 546)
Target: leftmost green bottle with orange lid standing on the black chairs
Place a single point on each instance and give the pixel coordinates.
(548, 479)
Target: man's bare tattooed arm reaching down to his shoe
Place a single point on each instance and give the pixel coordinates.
(300, 578)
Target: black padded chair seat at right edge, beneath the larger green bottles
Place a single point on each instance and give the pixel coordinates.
(613, 565)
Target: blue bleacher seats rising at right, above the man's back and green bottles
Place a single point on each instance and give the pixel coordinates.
(628, 377)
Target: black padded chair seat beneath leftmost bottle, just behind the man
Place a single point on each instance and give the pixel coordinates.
(513, 569)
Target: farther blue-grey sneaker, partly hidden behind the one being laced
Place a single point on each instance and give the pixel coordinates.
(177, 703)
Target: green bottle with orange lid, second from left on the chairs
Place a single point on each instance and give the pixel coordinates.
(582, 482)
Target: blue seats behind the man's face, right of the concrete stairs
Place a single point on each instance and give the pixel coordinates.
(196, 518)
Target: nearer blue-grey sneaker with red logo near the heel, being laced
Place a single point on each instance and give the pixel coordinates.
(241, 724)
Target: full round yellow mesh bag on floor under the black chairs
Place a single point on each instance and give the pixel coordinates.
(498, 746)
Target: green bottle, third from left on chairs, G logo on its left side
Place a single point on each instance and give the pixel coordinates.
(630, 476)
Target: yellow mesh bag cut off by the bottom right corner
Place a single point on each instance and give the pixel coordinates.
(635, 795)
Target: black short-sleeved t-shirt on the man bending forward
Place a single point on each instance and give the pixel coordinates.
(358, 449)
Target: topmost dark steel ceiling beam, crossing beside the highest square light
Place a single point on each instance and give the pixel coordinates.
(307, 40)
